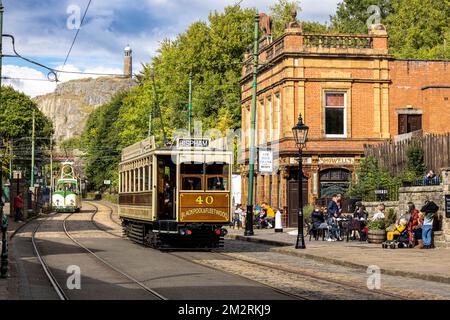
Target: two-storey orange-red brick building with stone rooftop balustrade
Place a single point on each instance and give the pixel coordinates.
(350, 92)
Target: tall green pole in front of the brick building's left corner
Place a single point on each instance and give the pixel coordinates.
(251, 159)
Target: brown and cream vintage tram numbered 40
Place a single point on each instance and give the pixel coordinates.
(175, 197)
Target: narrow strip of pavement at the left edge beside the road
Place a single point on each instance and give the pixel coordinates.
(9, 286)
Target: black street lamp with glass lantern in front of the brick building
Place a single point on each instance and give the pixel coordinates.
(300, 132)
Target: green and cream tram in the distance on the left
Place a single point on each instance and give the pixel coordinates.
(66, 196)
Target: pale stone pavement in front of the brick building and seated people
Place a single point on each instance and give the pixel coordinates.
(432, 265)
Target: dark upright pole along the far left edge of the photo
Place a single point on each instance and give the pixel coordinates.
(3, 218)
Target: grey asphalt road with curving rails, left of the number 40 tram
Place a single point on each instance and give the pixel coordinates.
(171, 276)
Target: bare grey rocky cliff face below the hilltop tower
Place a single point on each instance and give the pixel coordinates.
(72, 102)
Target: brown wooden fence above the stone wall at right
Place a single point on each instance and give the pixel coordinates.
(393, 155)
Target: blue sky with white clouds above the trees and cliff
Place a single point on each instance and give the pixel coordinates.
(44, 30)
